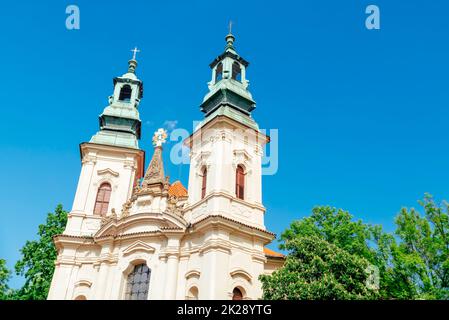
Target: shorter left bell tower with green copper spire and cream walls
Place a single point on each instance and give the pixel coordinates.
(111, 161)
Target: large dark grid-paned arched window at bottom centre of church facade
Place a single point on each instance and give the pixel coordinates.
(138, 283)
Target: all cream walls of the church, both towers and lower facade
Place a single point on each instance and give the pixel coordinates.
(214, 260)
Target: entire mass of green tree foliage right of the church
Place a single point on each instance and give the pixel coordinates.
(413, 263)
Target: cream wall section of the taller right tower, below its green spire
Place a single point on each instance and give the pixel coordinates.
(220, 148)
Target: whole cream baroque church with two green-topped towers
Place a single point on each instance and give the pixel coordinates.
(134, 235)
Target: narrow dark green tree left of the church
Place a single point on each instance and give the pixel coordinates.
(38, 258)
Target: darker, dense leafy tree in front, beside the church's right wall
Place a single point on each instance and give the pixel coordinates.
(317, 269)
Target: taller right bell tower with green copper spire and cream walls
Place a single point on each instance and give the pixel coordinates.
(226, 147)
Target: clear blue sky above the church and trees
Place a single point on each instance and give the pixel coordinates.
(362, 115)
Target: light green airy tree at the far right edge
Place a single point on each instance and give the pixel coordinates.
(421, 256)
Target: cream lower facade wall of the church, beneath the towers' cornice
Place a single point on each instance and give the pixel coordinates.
(234, 260)
